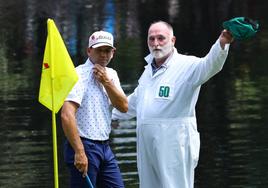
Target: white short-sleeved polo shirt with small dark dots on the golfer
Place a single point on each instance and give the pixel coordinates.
(94, 113)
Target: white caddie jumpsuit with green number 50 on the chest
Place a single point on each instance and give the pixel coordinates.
(164, 103)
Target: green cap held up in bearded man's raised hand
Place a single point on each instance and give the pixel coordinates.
(241, 27)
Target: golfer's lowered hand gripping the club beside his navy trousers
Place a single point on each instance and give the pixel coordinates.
(81, 162)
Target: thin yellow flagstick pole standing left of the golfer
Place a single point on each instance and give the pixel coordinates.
(54, 130)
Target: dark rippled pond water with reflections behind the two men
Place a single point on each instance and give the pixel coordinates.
(231, 110)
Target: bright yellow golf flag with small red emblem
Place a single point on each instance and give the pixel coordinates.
(58, 72)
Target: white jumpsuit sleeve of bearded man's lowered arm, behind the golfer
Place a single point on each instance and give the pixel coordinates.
(131, 113)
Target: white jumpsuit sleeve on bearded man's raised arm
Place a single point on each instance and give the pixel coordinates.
(211, 64)
